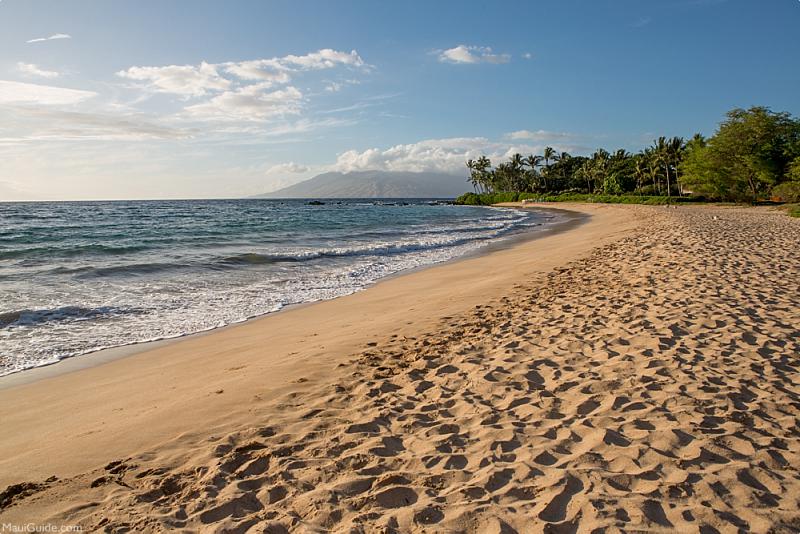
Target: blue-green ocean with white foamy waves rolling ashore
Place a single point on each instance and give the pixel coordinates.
(76, 277)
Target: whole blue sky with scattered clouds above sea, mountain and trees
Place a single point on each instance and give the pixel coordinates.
(121, 99)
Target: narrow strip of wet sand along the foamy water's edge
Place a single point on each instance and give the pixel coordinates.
(101, 356)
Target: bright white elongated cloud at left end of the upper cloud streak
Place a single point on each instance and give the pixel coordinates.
(183, 80)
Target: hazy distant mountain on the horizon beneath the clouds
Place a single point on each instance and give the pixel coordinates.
(375, 184)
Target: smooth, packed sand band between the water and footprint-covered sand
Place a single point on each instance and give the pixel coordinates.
(169, 395)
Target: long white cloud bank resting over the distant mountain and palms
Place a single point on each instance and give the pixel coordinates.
(438, 155)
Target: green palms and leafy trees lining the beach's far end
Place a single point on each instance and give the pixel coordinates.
(753, 155)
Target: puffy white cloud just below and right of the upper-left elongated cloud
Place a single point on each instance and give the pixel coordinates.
(250, 102)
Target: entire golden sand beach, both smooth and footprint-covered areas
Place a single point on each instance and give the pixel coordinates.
(636, 373)
